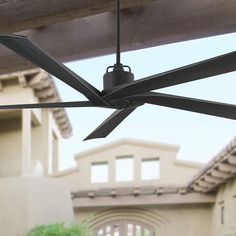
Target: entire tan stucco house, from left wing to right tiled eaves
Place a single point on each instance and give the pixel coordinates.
(125, 188)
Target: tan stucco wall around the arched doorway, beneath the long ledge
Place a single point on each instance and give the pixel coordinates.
(167, 221)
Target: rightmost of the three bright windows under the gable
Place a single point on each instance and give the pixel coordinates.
(150, 169)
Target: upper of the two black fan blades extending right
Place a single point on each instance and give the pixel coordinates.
(207, 68)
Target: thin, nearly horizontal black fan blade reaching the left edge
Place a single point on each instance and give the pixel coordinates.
(50, 105)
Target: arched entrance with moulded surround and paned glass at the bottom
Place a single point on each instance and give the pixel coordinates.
(128, 221)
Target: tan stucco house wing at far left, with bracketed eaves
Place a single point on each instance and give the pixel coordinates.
(29, 150)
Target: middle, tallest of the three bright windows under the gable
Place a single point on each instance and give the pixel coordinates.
(124, 169)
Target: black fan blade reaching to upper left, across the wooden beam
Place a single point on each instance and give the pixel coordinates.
(24, 47)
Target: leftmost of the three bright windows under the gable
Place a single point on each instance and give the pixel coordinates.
(99, 172)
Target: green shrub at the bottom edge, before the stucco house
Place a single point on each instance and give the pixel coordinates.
(59, 230)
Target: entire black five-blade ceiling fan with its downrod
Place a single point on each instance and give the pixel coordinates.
(121, 91)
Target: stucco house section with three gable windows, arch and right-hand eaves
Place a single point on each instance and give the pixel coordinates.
(174, 198)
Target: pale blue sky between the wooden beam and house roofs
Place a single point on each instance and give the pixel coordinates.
(199, 136)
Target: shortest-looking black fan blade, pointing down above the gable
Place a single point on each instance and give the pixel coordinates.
(111, 123)
